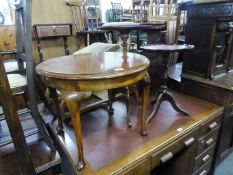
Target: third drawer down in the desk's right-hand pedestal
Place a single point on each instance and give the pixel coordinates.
(203, 158)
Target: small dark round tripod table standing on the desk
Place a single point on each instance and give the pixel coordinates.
(163, 94)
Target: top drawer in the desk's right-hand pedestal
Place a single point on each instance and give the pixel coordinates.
(211, 125)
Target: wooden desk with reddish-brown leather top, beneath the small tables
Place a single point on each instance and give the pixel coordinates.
(111, 148)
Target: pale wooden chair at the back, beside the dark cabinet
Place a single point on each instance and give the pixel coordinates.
(165, 12)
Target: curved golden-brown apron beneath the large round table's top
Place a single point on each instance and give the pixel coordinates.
(94, 84)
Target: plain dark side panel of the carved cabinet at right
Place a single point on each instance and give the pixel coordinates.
(200, 32)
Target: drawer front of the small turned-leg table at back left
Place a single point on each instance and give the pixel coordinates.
(48, 31)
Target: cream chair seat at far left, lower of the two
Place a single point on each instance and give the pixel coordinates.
(17, 83)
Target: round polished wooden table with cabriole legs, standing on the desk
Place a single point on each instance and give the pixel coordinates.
(95, 71)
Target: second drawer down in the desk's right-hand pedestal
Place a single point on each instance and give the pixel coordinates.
(207, 141)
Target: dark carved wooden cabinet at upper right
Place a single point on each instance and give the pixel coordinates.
(209, 28)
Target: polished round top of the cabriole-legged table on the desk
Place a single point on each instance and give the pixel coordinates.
(92, 66)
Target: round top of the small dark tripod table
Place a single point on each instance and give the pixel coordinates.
(167, 48)
